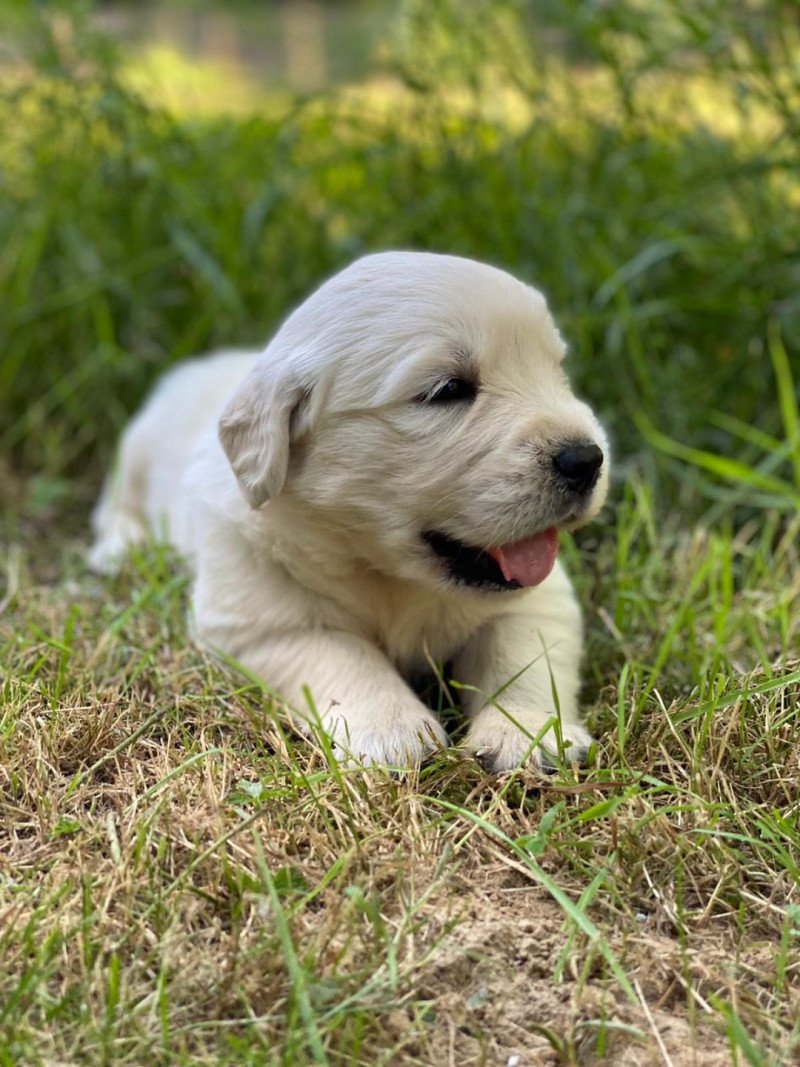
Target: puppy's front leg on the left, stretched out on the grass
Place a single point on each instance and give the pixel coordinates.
(372, 715)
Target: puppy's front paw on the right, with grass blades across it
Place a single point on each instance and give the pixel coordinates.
(503, 742)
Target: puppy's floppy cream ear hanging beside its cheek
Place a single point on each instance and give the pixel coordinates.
(255, 431)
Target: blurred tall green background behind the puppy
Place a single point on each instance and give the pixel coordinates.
(177, 177)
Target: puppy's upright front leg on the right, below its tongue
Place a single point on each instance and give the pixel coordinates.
(524, 670)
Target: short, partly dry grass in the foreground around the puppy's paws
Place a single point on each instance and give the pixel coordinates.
(186, 881)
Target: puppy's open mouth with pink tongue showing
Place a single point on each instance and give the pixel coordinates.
(515, 566)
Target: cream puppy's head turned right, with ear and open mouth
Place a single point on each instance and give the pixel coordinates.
(417, 407)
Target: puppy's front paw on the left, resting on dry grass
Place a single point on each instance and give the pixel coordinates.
(402, 741)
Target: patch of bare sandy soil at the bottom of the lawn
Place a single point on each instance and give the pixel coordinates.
(494, 999)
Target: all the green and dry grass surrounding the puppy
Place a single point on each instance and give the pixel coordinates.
(183, 881)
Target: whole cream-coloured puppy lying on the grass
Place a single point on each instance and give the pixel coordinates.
(379, 490)
